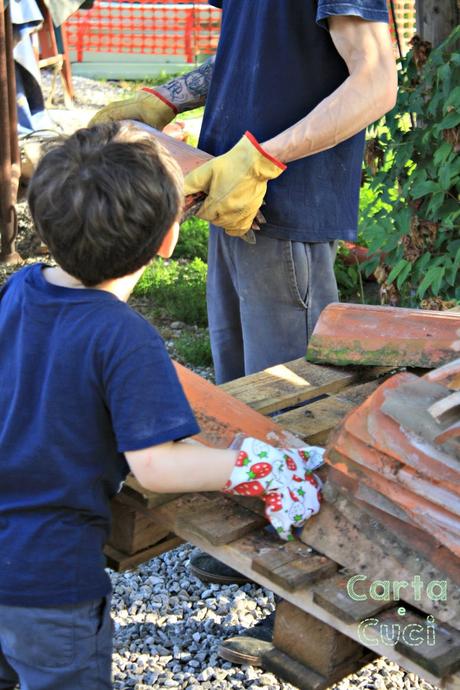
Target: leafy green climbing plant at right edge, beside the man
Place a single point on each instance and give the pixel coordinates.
(416, 179)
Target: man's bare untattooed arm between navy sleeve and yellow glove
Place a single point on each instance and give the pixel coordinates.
(367, 94)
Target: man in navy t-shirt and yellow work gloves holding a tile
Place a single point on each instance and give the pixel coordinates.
(304, 79)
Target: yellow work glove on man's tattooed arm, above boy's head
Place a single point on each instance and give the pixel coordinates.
(146, 106)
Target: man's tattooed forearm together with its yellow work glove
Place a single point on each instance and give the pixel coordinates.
(157, 107)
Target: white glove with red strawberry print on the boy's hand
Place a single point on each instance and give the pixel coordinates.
(282, 478)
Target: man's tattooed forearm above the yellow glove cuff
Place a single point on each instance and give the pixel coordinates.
(190, 90)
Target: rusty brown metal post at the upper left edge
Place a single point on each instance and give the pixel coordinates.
(9, 149)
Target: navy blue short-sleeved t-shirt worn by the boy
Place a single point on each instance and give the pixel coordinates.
(83, 379)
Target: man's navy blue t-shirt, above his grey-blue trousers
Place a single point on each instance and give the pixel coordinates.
(274, 63)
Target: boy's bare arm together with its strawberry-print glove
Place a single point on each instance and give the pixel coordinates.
(281, 478)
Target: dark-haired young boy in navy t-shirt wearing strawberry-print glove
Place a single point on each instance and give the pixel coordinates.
(88, 393)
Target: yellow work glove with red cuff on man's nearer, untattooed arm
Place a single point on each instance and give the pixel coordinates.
(235, 184)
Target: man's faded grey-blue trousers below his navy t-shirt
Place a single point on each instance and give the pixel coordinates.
(264, 300)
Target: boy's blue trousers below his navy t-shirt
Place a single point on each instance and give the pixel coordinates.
(56, 648)
